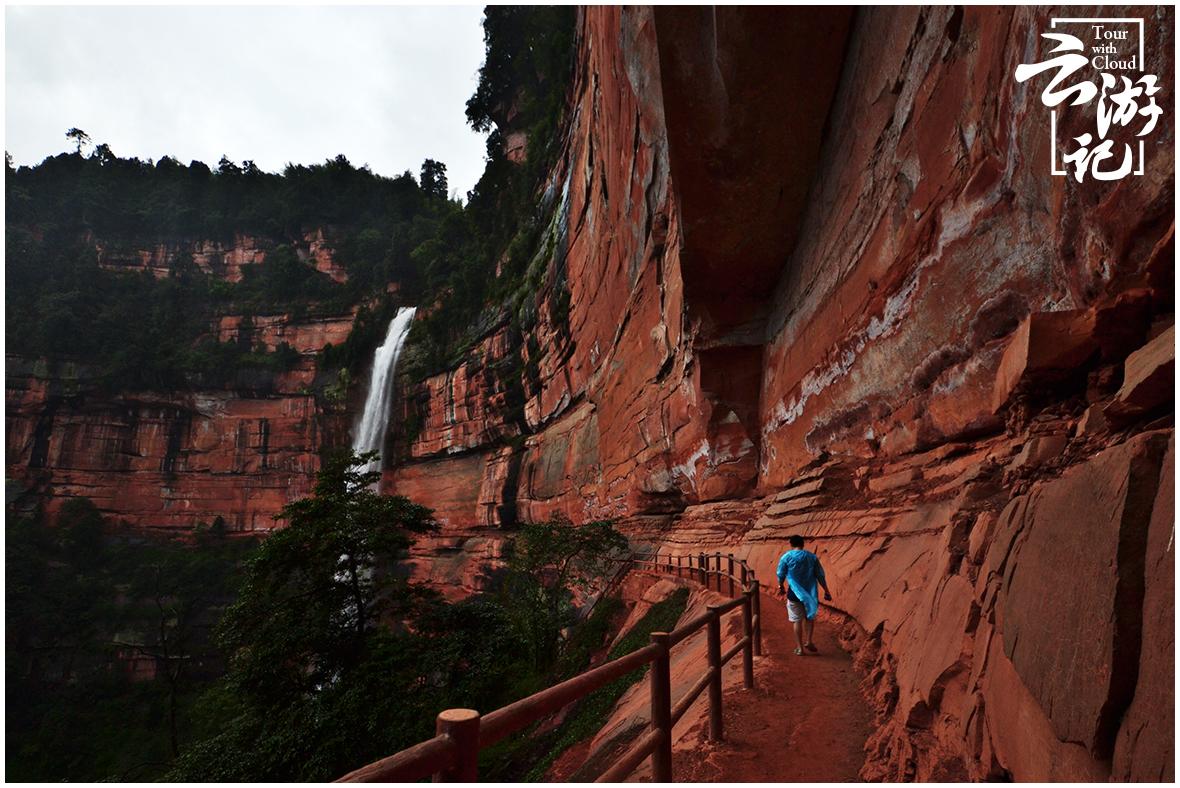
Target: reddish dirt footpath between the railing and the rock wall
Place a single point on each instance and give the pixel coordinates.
(804, 723)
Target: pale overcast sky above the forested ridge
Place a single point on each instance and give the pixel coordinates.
(386, 87)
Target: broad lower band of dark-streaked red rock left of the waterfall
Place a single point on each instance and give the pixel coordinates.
(161, 461)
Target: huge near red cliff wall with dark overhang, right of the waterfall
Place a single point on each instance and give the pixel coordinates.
(843, 297)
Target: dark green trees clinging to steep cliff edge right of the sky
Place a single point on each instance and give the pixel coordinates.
(477, 266)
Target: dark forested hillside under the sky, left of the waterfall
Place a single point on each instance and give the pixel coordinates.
(136, 331)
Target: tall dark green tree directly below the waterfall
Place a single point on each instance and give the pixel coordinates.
(323, 671)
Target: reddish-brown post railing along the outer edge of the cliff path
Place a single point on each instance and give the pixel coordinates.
(454, 754)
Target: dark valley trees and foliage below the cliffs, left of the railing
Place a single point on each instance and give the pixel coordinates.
(300, 658)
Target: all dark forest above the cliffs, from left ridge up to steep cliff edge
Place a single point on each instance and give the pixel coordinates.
(136, 331)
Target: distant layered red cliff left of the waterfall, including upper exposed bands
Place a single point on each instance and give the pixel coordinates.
(174, 459)
